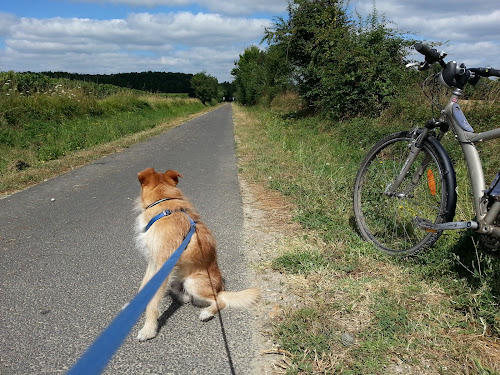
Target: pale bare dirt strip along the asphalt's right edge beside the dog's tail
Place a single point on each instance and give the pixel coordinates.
(267, 224)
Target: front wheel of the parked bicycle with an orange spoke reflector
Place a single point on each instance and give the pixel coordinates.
(389, 221)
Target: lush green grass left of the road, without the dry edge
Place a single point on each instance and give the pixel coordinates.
(49, 138)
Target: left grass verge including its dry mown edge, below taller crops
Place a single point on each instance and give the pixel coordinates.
(28, 158)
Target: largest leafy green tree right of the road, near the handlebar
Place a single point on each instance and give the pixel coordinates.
(341, 67)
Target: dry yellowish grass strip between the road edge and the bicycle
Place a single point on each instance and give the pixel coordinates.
(351, 295)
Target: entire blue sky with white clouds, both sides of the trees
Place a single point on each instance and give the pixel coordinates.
(192, 36)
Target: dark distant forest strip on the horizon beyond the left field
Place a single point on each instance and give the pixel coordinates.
(163, 82)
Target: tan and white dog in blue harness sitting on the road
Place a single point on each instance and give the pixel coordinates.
(196, 278)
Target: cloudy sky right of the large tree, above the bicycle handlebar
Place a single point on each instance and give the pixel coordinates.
(470, 32)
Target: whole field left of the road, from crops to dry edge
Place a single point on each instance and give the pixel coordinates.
(51, 125)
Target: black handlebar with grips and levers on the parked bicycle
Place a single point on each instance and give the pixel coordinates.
(453, 75)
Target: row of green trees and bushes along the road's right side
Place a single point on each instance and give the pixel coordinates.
(339, 64)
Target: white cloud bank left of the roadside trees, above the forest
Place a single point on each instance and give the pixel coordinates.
(176, 42)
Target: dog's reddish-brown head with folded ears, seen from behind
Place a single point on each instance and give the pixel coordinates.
(157, 185)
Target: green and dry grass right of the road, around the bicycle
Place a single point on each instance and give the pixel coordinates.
(436, 313)
